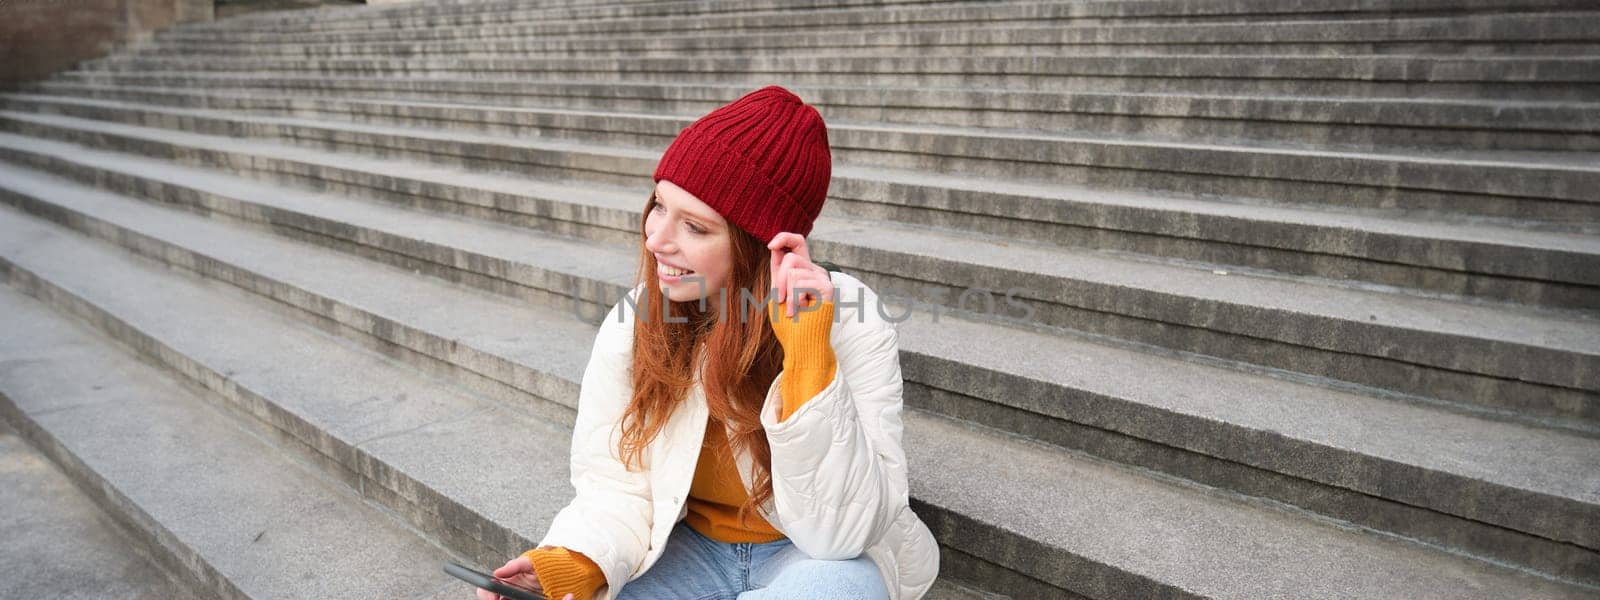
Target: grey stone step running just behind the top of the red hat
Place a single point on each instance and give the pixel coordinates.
(538, 108)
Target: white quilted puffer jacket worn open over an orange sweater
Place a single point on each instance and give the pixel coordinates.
(839, 470)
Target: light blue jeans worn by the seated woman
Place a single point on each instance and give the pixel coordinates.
(695, 567)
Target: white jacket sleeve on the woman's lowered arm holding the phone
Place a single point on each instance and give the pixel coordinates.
(609, 519)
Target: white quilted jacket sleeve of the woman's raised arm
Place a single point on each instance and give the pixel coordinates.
(839, 468)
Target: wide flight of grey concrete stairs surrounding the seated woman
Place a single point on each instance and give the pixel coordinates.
(1287, 302)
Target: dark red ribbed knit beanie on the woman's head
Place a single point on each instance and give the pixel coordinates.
(762, 162)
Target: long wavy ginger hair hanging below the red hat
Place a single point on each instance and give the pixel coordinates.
(740, 358)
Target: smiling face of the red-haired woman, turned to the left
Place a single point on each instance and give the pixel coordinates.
(686, 233)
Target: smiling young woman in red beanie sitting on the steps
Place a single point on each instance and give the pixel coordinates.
(738, 431)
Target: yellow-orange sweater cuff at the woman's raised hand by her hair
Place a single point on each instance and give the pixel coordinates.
(809, 356)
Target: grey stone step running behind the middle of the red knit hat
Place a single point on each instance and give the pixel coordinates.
(1540, 186)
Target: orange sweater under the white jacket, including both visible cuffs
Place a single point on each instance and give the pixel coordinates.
(718, 490)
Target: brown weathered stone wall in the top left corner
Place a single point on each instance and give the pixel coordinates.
(39, 38)
